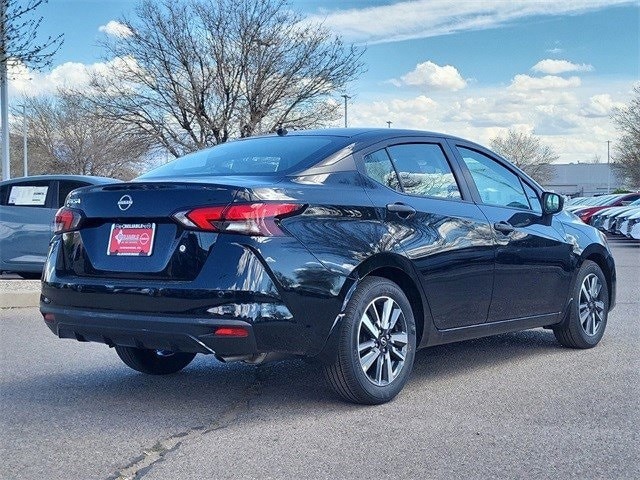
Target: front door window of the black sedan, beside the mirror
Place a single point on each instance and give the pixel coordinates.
(496, 184)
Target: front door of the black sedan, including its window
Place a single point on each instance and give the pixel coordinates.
(533, 268)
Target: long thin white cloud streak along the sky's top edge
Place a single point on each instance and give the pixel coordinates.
(429, 18)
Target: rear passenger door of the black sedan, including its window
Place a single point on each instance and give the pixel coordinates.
(437, 225)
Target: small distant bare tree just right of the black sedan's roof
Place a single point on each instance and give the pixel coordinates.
(526, 152)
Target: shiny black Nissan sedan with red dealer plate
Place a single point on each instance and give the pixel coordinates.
(353, 247)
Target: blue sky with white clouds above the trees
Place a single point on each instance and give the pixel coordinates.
(471, 68)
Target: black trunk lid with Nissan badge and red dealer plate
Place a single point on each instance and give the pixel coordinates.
(142, 208)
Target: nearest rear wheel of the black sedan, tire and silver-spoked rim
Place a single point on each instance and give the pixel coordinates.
(346, 373)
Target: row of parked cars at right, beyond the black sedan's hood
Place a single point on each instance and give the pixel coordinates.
(617, 214)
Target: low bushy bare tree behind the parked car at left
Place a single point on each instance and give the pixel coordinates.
(71, 137)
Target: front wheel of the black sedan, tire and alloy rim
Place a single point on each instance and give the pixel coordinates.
(578, 330)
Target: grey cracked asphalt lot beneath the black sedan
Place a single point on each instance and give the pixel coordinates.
(511, 406)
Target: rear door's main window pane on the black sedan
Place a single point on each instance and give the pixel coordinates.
(424, 170)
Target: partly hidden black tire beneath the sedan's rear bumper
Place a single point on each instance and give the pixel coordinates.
(154, 362)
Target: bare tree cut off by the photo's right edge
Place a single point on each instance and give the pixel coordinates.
(627, 150)
